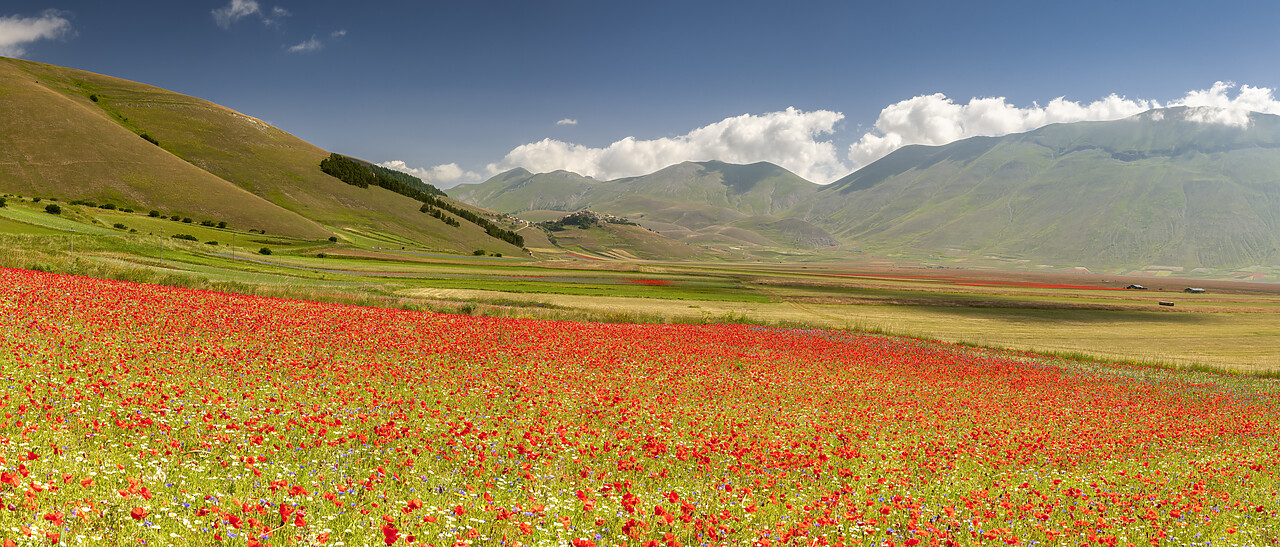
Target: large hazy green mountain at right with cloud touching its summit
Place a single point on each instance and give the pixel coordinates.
(1154, 189)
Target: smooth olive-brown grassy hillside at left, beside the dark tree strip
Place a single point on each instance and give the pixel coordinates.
(79, 136)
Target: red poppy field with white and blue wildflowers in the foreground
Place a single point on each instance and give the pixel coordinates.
(135, 414)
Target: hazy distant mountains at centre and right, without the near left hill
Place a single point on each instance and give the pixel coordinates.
(1168, 186)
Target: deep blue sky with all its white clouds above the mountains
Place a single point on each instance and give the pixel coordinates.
(472, 88)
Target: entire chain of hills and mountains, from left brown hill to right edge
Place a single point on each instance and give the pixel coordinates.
(1185, 188)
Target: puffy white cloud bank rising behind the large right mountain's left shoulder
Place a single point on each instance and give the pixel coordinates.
(936, 120)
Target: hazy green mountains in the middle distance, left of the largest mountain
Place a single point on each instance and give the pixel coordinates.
(710, 203)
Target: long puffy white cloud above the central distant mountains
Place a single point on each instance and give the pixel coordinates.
(789, 139)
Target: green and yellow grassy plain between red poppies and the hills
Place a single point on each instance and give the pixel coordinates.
(1235, 326)
